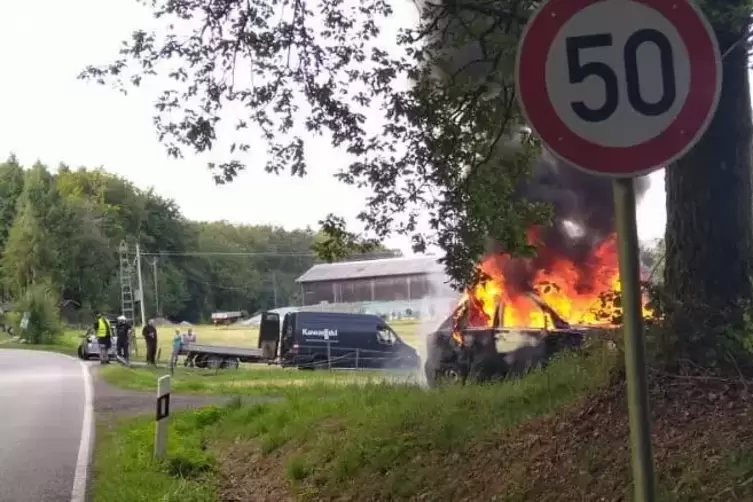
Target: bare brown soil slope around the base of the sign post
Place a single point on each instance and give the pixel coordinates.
(702, 438)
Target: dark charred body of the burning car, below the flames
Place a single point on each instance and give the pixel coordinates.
(457, 353)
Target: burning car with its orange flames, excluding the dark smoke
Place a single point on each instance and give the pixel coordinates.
(524, 311)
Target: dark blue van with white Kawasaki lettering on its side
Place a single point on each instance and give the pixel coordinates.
(335, 340)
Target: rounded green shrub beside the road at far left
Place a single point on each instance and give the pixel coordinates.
(41, 303)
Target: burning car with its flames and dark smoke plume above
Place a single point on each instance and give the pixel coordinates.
(548, 301)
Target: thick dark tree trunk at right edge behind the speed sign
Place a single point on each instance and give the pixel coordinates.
(709, 235)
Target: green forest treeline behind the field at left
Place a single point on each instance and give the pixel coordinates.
(63, 229)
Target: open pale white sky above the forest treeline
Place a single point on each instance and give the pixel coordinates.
(46, 114)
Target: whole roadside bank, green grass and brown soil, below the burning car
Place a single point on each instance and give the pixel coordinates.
(558, 435)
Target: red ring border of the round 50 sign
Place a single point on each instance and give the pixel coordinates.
(673, 142)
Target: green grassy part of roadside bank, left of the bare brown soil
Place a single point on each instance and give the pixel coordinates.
(355, 442)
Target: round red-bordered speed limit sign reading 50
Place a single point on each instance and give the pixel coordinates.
(618, 87)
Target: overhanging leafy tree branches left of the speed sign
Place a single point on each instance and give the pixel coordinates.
(448, 148)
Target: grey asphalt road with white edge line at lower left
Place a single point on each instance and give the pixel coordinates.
(46, 409)
